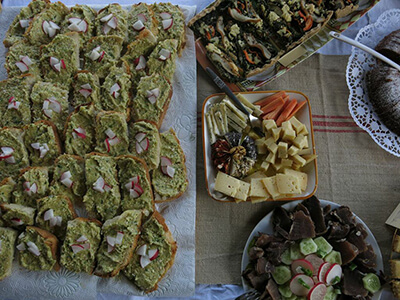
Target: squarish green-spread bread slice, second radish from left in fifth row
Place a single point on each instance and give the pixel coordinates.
(69, 177)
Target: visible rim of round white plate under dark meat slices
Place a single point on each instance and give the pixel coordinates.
(265, 226)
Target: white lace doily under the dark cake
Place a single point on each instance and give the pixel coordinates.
(359, 63)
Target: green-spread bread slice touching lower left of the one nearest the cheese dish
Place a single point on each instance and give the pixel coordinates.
(135, 184)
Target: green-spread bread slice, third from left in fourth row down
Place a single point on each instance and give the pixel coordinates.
(79, 132)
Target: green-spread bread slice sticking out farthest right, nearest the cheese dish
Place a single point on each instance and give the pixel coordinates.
(170, 179)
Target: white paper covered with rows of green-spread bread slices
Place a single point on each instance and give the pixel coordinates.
(96, 192)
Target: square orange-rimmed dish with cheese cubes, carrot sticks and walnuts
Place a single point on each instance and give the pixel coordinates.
(242, 166)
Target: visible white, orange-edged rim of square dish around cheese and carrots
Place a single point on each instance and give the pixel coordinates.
(304, 116)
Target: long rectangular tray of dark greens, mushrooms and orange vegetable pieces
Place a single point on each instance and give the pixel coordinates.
(250, 42)
